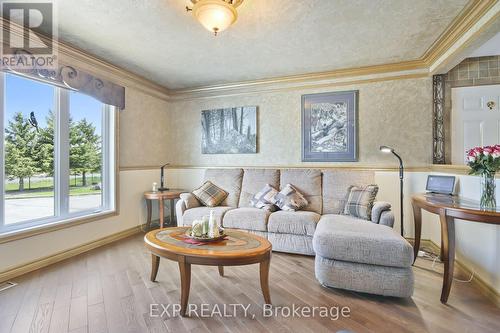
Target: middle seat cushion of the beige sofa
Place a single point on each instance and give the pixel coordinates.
(246, 218)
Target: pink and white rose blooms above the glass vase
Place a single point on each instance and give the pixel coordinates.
(484, 160)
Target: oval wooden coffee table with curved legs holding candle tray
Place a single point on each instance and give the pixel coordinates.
(240, 248)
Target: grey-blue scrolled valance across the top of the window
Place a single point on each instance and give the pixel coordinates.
(70, 77)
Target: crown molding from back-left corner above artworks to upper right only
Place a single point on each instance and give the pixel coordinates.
(472, 13)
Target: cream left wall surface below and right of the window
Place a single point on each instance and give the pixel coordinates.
(142, 137)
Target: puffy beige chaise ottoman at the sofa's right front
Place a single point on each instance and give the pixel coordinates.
(362, 256)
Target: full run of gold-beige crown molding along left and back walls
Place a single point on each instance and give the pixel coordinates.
(473, 12)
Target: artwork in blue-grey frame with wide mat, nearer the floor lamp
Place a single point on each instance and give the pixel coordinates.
(329, 127)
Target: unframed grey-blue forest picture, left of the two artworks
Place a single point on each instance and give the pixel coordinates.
(229, 130)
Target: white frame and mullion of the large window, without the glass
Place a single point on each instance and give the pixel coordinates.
(109, 174)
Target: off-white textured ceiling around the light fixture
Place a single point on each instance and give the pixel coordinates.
(160, 41)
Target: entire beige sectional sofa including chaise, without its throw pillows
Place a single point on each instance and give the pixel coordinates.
(350, 253)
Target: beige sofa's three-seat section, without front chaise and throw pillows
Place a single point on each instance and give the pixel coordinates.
(288, 231)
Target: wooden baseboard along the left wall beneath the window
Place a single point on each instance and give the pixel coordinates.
(14, 272)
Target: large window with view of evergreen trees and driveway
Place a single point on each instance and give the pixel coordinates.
(57, 154)
